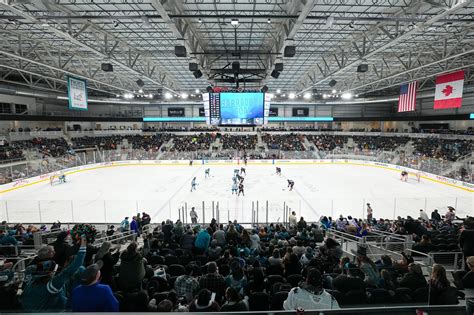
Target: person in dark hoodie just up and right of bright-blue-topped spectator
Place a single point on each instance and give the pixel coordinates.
(132, 269)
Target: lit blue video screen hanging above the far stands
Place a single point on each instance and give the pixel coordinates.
(241, 108)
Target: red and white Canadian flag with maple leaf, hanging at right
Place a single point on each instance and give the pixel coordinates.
(448, 92)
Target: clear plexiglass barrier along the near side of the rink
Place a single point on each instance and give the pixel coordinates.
(255, 211)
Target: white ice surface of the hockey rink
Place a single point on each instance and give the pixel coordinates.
(109, 194)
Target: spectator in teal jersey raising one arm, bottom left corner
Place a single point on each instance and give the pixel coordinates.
(45, 291)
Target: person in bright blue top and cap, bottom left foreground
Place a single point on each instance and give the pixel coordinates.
(91, 296)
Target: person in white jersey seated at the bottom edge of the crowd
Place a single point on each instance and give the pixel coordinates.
(310, 295)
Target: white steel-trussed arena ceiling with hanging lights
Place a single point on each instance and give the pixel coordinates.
(44, 41)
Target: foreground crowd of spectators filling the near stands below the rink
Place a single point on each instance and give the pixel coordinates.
(229, 268)
